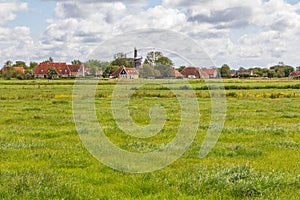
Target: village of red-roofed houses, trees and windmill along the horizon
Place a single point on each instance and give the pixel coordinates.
(155, 65)
